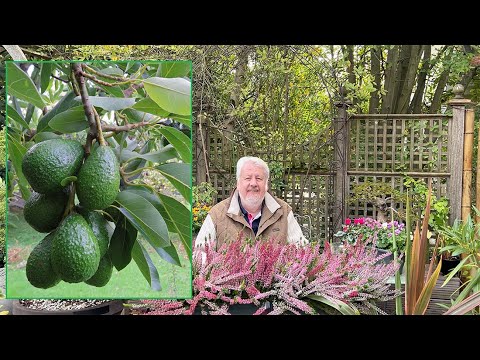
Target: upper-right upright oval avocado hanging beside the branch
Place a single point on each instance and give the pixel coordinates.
(98, 179)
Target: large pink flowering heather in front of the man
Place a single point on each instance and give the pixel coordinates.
(291, 278)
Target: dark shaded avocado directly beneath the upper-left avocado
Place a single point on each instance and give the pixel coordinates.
(44, 212)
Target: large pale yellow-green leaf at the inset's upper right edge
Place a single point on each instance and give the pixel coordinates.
(172, 94)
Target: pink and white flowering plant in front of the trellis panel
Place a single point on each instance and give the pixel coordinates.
(374, 231)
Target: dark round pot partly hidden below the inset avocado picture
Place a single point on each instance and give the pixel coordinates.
(113, 307)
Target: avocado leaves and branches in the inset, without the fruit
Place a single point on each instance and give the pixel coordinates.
(130, 107)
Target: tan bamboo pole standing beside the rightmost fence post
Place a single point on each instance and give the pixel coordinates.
(467, 163)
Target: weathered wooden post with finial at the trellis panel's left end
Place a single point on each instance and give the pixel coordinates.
(341, 180)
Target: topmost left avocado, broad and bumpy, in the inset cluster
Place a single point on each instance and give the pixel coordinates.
(47, 163)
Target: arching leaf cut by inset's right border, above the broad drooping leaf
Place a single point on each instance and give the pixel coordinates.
(176, 215)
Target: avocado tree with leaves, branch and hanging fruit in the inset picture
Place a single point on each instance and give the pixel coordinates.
(81, 137)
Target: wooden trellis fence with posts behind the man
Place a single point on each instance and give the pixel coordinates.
(318, 177)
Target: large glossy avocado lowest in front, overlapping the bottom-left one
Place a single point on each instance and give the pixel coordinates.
(75, 252)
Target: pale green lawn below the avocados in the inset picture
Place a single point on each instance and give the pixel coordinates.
(129, 283)
